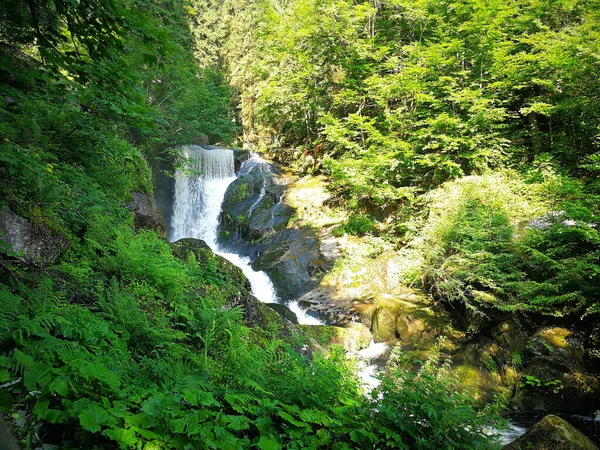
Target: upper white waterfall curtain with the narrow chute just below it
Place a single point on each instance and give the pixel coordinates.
(199, 193)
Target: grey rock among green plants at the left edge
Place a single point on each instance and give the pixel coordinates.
(34, 242)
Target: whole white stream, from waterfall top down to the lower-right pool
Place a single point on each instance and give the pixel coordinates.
(198, 196)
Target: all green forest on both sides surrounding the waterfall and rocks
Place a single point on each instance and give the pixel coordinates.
(464, 134)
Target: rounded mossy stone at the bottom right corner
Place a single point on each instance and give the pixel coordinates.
(552, 433)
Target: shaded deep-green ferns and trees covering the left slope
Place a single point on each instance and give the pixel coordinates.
(117, 342)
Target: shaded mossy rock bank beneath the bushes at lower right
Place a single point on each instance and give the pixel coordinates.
(538, 366)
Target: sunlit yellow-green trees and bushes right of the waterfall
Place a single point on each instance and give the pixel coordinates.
(396, 99)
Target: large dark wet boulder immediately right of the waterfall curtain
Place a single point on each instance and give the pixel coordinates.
(255, 221)
